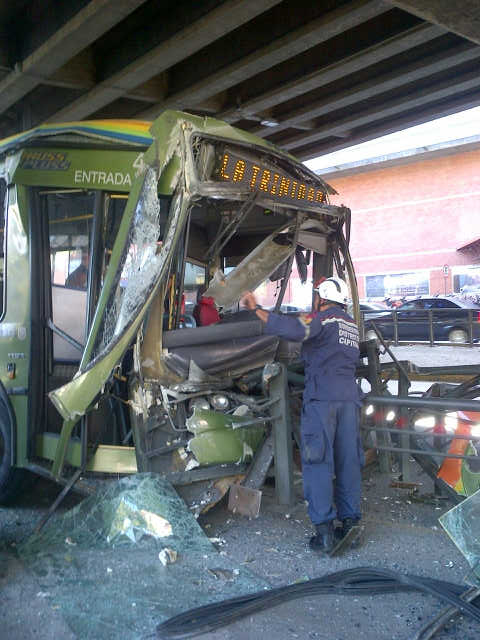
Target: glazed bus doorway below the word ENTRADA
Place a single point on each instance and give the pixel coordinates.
(81, 231)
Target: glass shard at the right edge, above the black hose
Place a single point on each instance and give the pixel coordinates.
(462, 524)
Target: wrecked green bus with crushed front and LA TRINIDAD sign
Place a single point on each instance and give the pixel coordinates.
(109, 231)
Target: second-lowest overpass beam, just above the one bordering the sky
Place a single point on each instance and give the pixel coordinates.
(407, 102)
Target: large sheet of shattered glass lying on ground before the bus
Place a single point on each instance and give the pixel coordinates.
(100, 562)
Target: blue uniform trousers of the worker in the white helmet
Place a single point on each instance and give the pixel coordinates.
(331, 447)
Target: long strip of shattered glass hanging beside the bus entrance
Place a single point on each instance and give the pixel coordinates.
(138, 268)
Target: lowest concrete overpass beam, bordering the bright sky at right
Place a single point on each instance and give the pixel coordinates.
(427, 114)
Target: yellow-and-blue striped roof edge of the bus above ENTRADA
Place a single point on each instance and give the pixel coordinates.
(124, 132)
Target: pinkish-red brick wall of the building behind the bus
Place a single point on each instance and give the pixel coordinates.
(414, 216)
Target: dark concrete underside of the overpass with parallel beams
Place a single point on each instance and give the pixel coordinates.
(311, 76)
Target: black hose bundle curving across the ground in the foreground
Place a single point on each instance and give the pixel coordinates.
(359, 581)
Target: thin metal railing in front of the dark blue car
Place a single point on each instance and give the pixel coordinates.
(402, 325)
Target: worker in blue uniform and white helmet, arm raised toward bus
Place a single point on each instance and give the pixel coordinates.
(330, 445)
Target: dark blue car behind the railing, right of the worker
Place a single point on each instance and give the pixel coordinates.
(449, 316)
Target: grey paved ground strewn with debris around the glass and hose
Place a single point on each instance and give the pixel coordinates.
(401, 532)
